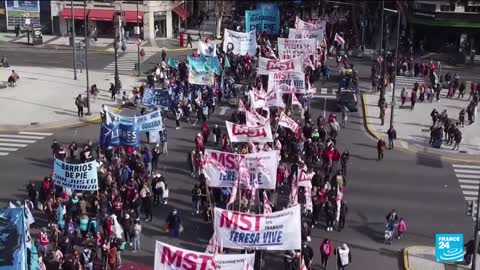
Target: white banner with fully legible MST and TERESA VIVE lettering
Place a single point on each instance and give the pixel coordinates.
(275, 231)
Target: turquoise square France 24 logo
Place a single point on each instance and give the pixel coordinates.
(448, 247)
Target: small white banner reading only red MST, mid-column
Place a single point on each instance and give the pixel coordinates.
(243, 133)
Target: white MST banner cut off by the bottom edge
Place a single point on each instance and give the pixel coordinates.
(168, 257)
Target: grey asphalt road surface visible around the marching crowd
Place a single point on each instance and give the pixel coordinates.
(422, 189)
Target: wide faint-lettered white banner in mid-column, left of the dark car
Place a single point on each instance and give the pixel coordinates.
(283, 80)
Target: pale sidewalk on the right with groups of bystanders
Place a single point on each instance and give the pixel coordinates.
(413, 126)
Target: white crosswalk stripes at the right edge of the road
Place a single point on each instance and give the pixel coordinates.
(468, 177)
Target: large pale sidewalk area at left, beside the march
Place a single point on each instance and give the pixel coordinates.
(45, 97)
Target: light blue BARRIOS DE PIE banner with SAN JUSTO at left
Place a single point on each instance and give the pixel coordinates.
(76, 176)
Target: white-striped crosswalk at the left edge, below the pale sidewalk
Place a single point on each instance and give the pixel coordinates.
(10, 142)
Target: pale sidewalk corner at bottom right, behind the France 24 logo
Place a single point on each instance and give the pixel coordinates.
(423, 258)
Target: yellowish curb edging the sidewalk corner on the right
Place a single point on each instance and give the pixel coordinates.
(403, 146)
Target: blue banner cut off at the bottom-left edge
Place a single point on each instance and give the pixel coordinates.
(13, 254)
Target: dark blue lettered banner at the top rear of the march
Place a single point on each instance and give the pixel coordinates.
(262, 20)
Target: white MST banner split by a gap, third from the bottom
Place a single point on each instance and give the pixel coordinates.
(221, 168)
